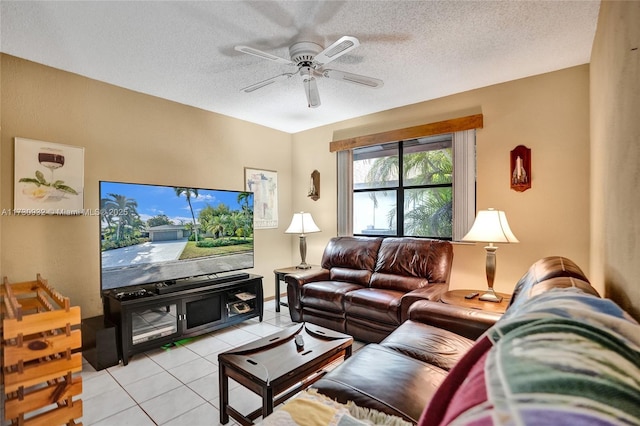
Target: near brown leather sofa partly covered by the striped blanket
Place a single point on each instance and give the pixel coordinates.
(400, 375)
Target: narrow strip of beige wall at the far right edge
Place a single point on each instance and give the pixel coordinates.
(615, 151)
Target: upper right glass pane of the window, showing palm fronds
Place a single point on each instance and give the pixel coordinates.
(428, 161)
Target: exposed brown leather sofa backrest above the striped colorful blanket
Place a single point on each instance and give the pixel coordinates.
(547, 273)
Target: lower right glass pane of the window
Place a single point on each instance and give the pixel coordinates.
(428, 212)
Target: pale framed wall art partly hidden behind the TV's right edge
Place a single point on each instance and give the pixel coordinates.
(264, 185)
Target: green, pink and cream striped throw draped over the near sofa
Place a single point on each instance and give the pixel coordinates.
(563, 358)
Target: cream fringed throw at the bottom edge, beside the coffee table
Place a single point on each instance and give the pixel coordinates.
(309, 408)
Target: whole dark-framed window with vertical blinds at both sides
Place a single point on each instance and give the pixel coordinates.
(422, 187)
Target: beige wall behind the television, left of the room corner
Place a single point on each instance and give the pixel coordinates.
(130, 137)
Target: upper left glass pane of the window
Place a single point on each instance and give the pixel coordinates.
(375, 167)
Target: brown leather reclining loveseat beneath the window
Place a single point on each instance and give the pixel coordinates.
(367, 284)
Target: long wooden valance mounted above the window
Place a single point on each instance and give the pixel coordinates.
(438, 128)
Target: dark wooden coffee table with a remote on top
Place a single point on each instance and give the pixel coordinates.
(275, 368)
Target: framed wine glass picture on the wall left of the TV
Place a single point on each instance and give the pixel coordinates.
(49, 178)
